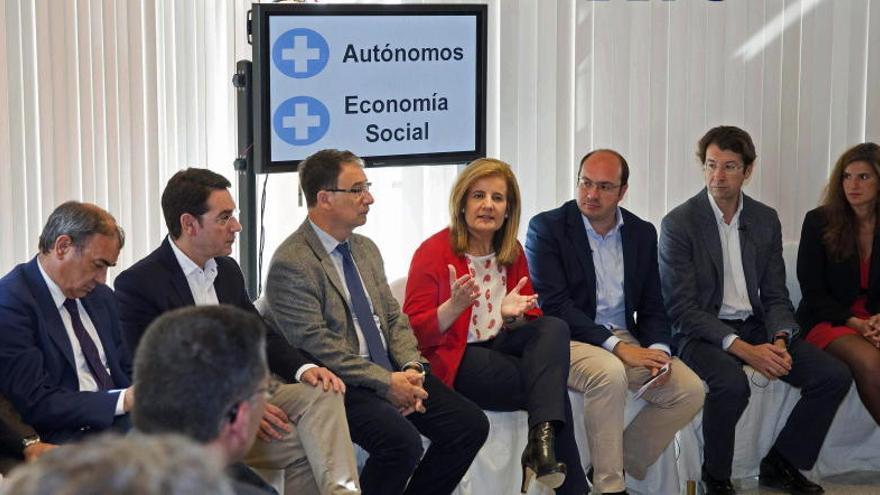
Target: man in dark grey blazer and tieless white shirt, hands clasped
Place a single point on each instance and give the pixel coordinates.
(723, 281)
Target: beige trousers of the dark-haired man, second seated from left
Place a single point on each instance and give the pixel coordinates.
(317, 456)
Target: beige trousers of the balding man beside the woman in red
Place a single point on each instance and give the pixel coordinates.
(603, 379)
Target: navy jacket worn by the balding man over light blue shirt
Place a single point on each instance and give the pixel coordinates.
(563, 274)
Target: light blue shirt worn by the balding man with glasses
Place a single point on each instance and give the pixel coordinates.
(607, 253)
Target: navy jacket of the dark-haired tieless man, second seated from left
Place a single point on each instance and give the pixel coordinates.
(156, 284)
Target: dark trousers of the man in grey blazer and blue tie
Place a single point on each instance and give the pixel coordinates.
(456, 427)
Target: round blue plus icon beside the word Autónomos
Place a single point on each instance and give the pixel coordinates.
(300, 53)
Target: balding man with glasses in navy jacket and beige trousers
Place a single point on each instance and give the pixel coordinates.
(594, 264)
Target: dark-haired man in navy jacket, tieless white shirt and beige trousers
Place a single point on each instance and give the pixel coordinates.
(192, 267)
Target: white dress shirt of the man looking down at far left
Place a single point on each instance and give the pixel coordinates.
(84, 375)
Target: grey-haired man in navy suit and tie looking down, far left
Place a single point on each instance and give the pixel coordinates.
(63, 361)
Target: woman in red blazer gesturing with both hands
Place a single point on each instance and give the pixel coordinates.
(474, 314)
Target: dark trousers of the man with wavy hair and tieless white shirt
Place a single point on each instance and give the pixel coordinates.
(824, 382)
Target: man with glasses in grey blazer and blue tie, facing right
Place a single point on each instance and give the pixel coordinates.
(327, 293)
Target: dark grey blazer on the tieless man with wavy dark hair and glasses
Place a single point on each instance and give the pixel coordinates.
(691, 270)
